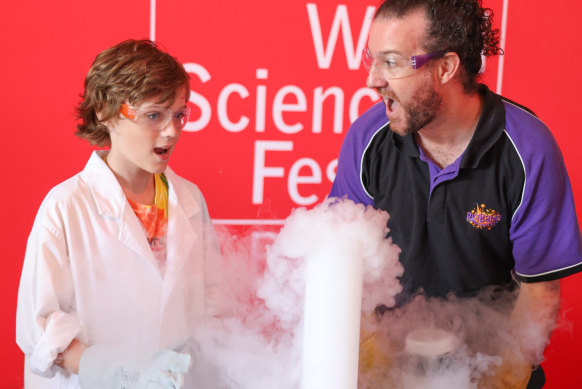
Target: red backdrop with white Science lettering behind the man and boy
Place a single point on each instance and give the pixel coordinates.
(275, 85)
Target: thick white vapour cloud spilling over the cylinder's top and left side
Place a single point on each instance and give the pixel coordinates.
(255, 342)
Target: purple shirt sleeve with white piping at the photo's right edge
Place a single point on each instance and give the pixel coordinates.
(544, 229)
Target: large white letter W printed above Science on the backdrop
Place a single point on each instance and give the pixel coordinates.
(353, 57)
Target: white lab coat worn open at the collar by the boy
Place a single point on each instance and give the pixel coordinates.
(90, 273)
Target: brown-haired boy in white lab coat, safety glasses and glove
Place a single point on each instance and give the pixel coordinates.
(113, 277)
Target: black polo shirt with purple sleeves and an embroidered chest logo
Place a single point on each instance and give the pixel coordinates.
(504, 208)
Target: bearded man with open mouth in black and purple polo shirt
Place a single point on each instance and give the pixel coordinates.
(475, 185)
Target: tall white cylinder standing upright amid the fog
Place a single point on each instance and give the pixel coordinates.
(333, 300)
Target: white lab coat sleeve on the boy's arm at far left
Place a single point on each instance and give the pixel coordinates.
(46, 318)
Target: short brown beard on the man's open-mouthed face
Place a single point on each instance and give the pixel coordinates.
(419, 112)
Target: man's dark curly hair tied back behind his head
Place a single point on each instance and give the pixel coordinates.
(460, 26)
